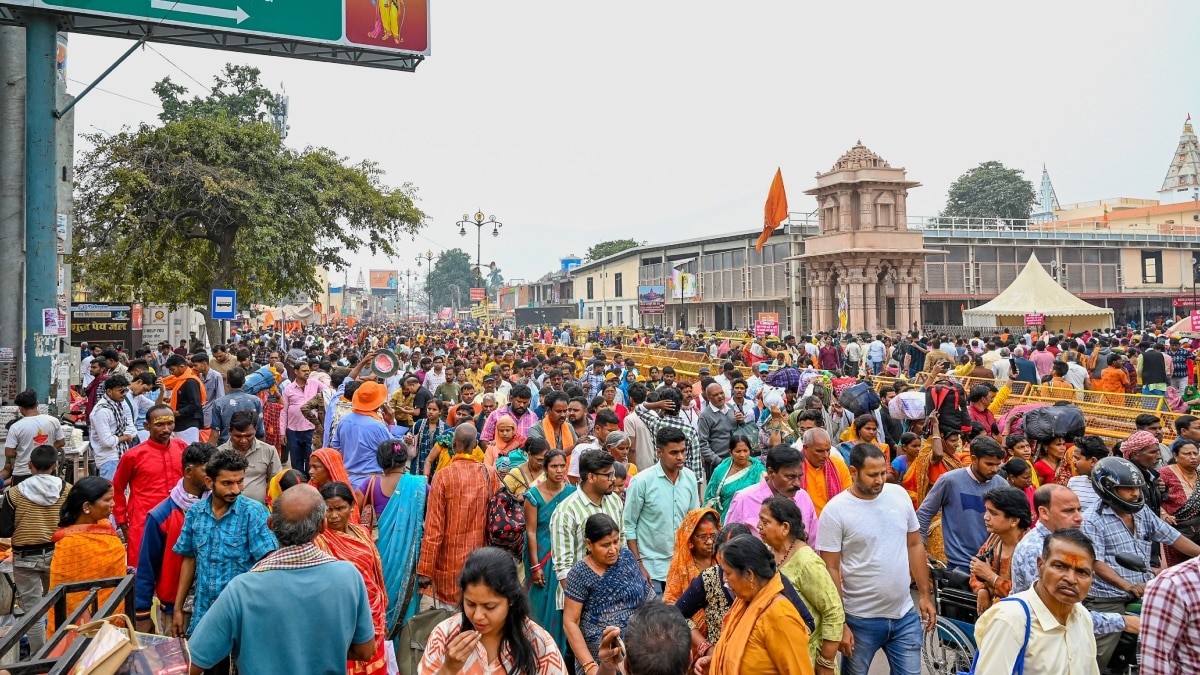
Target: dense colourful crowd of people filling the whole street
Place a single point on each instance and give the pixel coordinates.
(562, 507)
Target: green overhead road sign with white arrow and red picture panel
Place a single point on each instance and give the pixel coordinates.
(393, 34)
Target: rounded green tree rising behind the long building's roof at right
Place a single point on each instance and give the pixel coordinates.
(992, 192)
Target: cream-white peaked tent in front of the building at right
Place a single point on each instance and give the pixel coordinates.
(1035, 291)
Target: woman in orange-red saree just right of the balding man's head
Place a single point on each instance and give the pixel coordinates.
(351, 542)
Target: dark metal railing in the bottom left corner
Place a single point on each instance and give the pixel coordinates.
(57, 600)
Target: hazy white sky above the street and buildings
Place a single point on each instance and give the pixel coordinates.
(575, 123)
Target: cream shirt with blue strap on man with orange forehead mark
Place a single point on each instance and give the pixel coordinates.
(1054, 649)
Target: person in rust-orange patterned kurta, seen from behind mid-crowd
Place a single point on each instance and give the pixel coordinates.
(454, 523)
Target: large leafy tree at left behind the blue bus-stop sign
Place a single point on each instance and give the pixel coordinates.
(214, 200)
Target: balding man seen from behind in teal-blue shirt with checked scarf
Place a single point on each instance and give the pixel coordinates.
(280, 592)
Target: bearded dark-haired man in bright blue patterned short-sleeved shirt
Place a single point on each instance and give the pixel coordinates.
(223, 536)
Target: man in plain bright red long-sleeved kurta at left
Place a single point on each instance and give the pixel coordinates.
(148, 471)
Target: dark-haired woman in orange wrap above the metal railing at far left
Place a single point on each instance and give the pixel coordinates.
(87, 547)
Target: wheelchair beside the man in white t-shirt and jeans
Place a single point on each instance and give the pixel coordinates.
(951, 647)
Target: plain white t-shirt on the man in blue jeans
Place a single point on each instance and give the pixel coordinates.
(873, 537)
